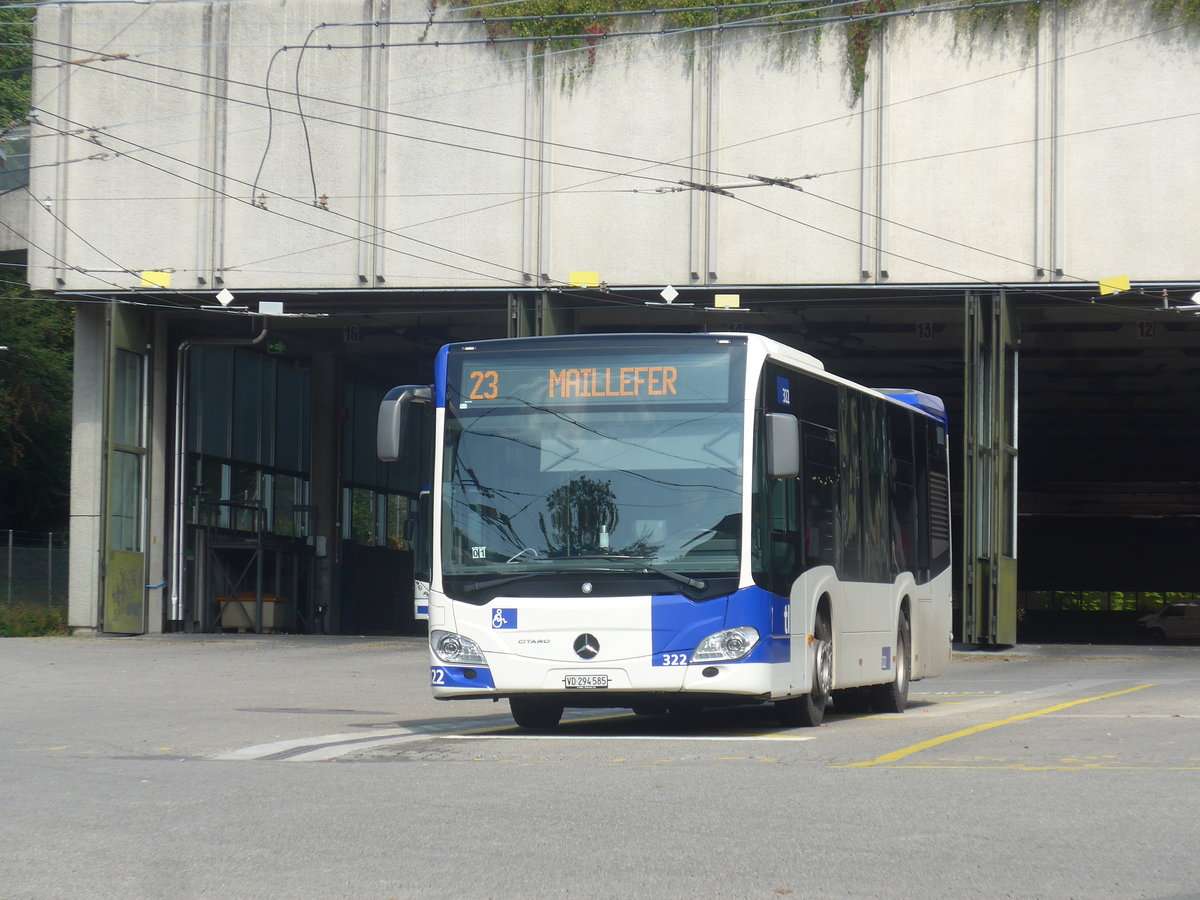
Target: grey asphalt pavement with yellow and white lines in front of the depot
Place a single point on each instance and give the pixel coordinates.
(321, 767)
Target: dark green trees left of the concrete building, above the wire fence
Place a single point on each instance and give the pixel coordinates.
(35, 407)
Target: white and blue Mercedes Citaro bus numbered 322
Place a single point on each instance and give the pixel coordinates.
(668, 523)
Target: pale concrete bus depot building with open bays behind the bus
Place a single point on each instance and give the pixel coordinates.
(269, 213)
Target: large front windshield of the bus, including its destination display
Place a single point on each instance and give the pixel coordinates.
(561, 465)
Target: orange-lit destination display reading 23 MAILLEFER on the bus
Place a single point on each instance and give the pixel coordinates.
(689, 376)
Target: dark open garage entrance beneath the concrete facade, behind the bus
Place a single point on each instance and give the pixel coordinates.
(289, 523)
